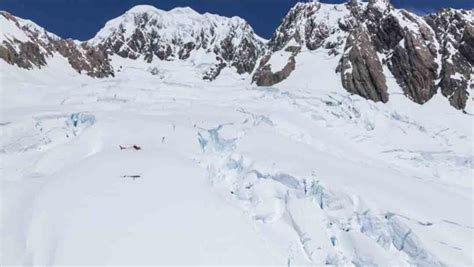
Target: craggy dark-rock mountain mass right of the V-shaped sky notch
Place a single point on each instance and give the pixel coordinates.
(424, 54)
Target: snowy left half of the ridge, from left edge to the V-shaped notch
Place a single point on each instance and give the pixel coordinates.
(143, 33)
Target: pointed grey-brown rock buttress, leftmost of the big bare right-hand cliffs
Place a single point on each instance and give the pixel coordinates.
(361, 70)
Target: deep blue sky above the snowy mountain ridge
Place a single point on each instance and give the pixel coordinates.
(81, 19)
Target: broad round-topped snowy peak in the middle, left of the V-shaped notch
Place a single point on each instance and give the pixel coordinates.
(153, 34)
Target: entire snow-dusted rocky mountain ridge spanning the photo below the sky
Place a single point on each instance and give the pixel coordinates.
(373, 40)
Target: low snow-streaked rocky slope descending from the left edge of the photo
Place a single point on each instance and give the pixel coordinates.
(27, 45)
